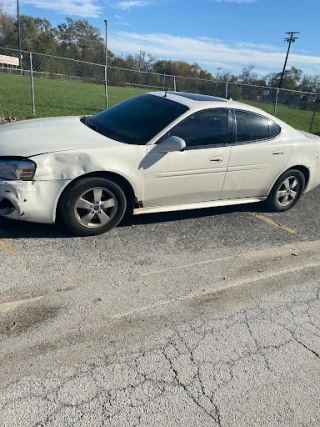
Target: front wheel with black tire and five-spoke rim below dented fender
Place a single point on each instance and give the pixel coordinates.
(84, 215)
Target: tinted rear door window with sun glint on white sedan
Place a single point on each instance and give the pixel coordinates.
(251, 127)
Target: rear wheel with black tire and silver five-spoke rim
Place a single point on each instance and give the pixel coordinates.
(286, 191)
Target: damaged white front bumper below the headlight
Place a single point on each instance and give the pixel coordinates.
(34, 201)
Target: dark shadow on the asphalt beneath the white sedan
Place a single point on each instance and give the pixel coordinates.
(11, 229)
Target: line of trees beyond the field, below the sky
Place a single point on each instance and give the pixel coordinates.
(78, 39)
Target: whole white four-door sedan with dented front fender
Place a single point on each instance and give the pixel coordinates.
(157, 152)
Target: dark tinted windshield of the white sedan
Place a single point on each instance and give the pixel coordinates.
(136, 120)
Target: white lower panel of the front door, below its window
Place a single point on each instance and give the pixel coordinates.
(187, 176)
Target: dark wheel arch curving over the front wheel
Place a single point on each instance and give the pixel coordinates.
(112, 176)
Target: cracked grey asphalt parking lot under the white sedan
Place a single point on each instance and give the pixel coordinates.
(199, 318)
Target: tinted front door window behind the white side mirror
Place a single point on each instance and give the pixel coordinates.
(209, 127)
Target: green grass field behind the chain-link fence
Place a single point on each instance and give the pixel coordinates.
(60, 97)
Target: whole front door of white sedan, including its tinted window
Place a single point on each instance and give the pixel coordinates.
(195, 174)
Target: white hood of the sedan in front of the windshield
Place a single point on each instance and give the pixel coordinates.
(32, 137)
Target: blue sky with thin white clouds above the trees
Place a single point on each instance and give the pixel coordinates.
(226, 34)
